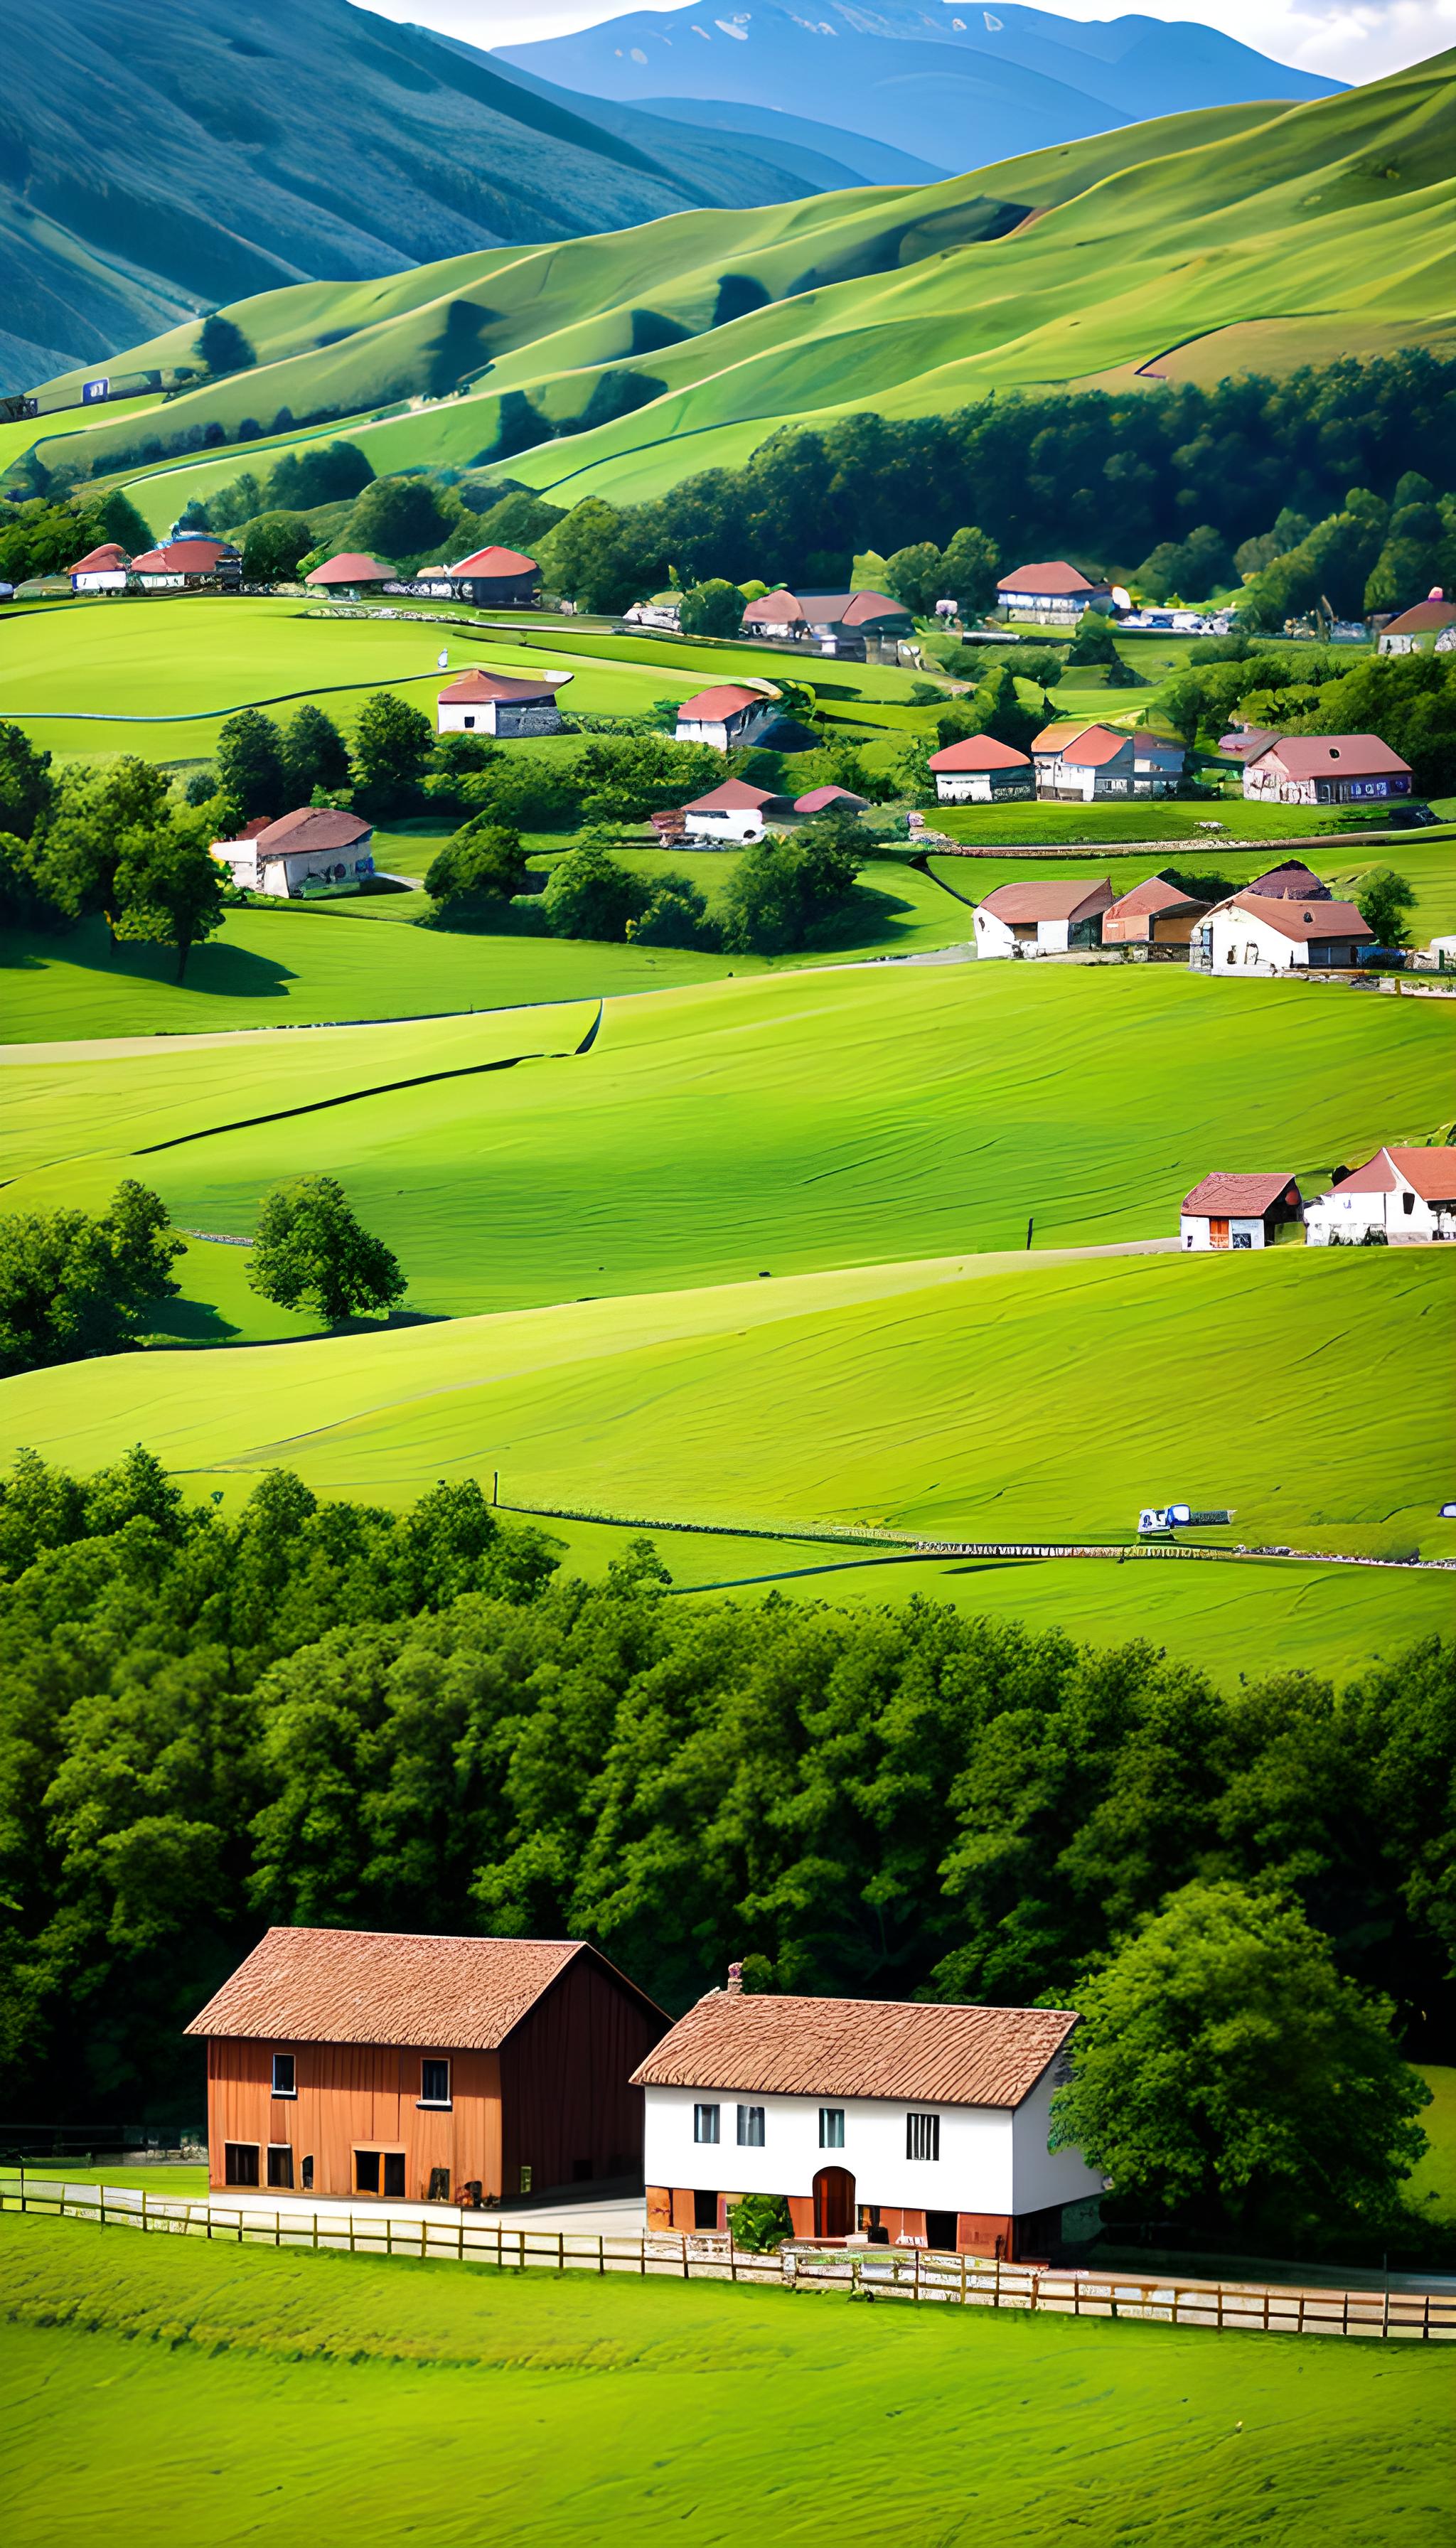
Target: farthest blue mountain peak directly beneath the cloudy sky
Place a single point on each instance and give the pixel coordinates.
(950, 83)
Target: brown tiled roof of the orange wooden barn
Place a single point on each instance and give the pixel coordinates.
(356, 1986)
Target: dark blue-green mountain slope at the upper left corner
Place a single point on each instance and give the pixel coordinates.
(159, 157)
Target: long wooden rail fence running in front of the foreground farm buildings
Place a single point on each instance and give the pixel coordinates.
(866, 2274)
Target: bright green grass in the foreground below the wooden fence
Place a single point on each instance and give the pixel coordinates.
(264, 2389)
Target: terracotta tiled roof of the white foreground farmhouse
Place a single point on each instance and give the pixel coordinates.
(924, 2052)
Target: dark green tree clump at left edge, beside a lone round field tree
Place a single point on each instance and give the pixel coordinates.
(78, 1283)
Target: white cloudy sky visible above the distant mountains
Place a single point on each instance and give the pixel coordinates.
(1345, 39)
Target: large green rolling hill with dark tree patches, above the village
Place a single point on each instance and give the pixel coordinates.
(1190, 248)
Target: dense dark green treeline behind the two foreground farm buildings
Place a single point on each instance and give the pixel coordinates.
(330, 1714)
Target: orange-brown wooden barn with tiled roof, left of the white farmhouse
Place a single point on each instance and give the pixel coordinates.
(425, 2068)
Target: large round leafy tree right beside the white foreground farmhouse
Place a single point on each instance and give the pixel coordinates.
(1225, 2070)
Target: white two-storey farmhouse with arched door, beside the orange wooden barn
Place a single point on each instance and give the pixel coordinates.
(914, 2119)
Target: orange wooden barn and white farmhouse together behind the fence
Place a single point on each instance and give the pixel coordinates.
(486, 2070)
